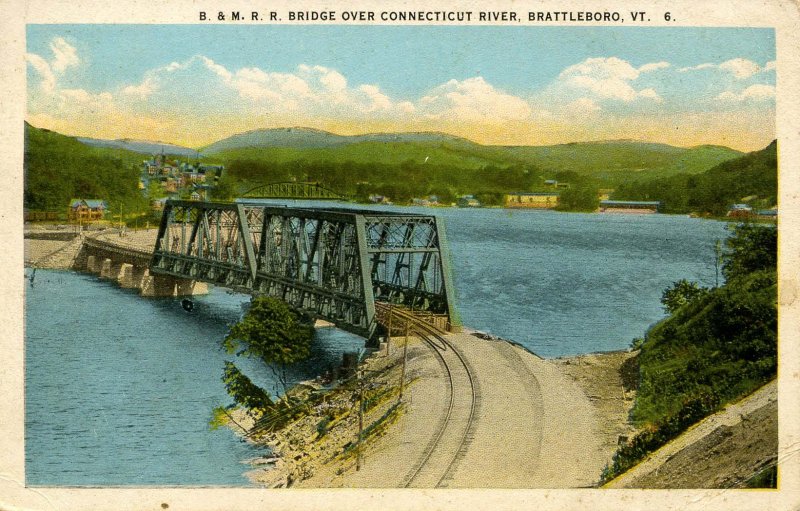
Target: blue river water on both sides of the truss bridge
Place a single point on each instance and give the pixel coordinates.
(120, 389)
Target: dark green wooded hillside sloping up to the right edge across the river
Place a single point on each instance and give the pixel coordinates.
(751, 178)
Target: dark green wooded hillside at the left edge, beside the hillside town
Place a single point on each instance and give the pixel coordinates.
(60, 168)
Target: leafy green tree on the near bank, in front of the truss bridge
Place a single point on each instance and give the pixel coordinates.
(274, 333)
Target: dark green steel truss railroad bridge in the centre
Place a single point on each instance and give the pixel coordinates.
(331, 263)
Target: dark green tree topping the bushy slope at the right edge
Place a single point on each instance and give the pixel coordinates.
(751, 247)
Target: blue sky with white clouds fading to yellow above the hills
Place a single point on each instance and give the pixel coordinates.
(195, 84)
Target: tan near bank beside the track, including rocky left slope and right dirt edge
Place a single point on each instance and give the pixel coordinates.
(533, 414)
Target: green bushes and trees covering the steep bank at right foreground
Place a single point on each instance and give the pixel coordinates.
(717, 346)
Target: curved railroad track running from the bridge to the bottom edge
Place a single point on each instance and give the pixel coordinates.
(455, 430)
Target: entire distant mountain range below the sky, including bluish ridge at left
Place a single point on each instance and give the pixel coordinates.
(286, 144)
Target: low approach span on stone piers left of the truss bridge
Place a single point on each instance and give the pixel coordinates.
(130, 269)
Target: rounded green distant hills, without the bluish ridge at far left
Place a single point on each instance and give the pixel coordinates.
(605, 164)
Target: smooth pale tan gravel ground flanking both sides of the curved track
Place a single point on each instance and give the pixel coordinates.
(535, 426)
